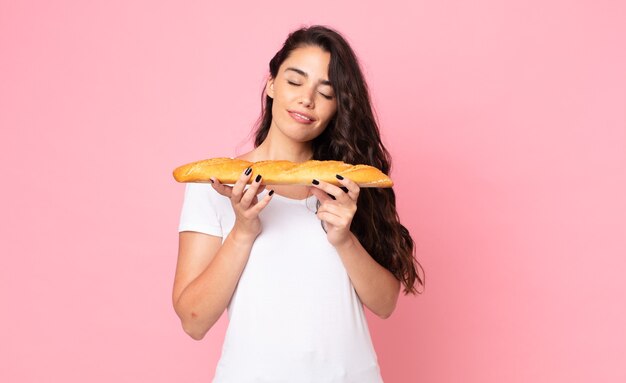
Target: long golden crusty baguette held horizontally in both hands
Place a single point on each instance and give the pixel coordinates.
(280, 172)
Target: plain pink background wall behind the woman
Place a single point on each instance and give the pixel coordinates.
(507, 126)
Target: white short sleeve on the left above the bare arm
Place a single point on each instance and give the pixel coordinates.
(198, 212)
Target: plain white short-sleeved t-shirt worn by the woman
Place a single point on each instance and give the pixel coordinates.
(294, 316)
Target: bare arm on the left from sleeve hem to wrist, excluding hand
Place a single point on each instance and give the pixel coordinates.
(207, 273)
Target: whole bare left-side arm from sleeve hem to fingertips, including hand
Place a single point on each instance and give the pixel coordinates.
(207, 271)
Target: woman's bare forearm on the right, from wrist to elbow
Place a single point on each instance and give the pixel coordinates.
(376, 286)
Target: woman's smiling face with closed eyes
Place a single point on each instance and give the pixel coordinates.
(303, 99)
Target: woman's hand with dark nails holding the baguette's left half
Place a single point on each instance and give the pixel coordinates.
(245, 204)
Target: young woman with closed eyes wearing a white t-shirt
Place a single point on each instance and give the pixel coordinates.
(295, 265)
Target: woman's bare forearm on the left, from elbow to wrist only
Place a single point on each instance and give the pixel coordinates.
(204, 300)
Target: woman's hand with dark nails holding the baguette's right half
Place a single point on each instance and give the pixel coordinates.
(338, 206)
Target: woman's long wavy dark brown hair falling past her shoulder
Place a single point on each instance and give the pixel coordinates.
(352, 136)
